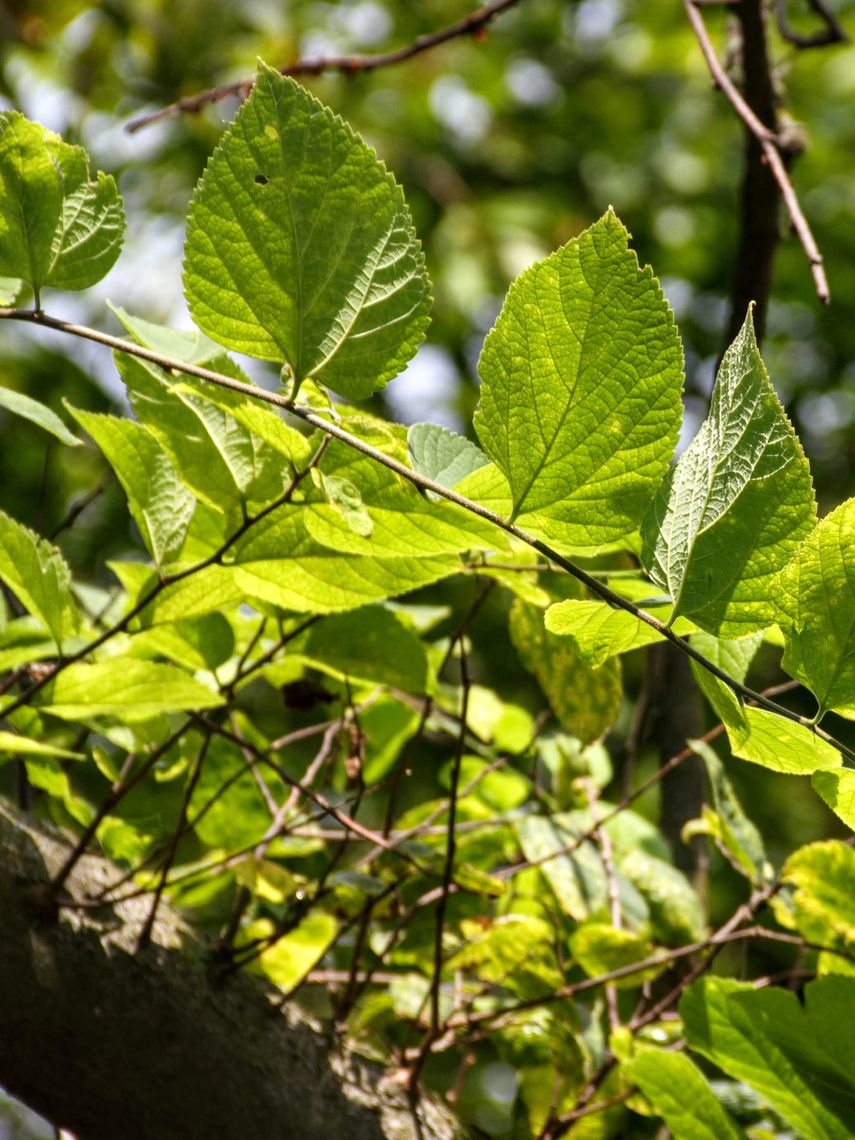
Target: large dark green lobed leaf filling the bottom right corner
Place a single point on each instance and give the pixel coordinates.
(785, 1052)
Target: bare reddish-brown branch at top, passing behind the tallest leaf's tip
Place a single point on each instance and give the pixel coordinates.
(349, 66)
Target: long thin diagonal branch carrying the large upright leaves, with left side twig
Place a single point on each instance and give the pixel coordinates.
(332, 429)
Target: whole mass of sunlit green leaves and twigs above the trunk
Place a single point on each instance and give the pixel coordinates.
(512, 935)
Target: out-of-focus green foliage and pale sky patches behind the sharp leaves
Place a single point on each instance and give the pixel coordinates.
(508, 144)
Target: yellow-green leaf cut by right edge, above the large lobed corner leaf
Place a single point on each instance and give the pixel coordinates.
(824, 903)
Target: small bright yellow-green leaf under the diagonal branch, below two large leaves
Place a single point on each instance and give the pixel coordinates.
(602, 632)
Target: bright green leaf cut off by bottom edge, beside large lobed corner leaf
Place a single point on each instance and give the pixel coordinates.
(680, 1094)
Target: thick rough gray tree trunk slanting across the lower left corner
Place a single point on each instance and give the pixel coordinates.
(151, 1047)
